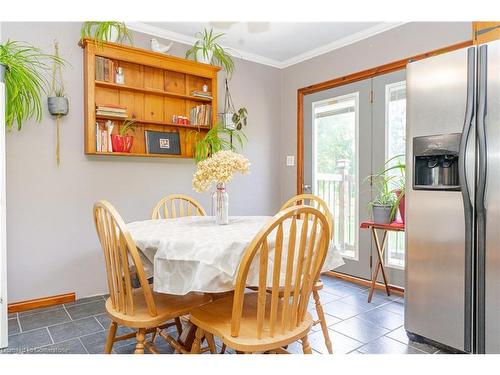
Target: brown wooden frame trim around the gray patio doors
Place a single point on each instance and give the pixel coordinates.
(350, 78)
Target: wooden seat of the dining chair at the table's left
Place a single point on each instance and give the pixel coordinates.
(168, 307)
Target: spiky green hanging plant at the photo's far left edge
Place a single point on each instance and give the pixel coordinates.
(25, 81)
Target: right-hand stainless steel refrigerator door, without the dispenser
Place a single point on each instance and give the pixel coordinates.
(490, 290)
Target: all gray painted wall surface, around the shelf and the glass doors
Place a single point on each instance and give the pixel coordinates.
(52, 246)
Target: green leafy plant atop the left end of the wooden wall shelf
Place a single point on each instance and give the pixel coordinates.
(102, 32)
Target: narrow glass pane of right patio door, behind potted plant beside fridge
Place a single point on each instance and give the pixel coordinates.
(395, 121)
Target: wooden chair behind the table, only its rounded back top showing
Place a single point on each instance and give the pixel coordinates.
(177, 205)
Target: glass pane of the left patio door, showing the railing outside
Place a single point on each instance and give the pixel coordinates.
(335, 166)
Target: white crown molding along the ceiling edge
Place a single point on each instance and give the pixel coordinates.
(244, 55)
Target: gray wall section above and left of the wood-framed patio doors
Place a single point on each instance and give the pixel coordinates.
(404, 41)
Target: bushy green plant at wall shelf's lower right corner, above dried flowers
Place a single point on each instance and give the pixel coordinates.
(214, 140)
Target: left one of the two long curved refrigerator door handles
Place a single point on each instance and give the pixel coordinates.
(464, 186)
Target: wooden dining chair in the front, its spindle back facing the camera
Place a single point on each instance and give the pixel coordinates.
(262, 321)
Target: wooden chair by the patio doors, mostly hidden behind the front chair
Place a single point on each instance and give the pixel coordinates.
(320, 204)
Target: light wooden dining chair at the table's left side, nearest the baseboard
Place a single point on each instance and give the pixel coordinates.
(140, 309)
